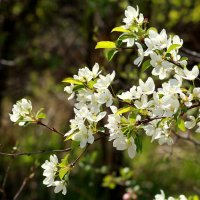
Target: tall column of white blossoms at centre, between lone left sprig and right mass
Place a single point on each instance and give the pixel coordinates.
(90, 98)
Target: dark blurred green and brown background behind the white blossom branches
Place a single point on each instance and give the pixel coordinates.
(41, 43)
